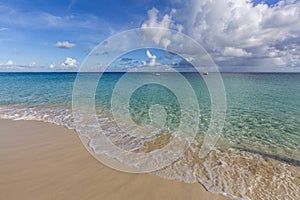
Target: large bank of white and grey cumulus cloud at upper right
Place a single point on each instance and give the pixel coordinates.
(237, 33)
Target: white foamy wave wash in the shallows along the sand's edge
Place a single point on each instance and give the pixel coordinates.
(235, 173)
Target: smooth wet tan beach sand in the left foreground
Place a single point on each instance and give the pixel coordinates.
(44, 161)
